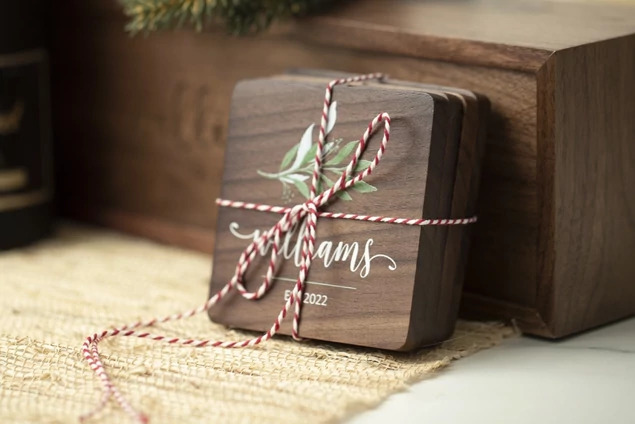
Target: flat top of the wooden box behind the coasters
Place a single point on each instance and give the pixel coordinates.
(516, 34)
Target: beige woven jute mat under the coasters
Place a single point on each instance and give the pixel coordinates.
(83, 280)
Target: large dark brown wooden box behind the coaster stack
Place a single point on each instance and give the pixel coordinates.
(141, 123)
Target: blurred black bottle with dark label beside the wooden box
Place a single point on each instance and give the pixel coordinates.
(26, 174)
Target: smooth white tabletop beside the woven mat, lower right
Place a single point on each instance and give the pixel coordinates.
(589, 378)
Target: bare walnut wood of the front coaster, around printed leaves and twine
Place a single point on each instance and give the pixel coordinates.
(415, 179)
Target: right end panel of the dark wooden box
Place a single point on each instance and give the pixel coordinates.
(594, 271)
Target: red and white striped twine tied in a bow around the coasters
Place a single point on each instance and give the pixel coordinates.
(309, 210)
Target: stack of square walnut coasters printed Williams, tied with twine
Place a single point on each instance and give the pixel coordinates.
(381, 285)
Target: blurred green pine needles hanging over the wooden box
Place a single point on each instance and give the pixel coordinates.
(239, 16)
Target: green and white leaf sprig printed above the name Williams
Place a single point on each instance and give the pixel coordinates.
(296, 168)
